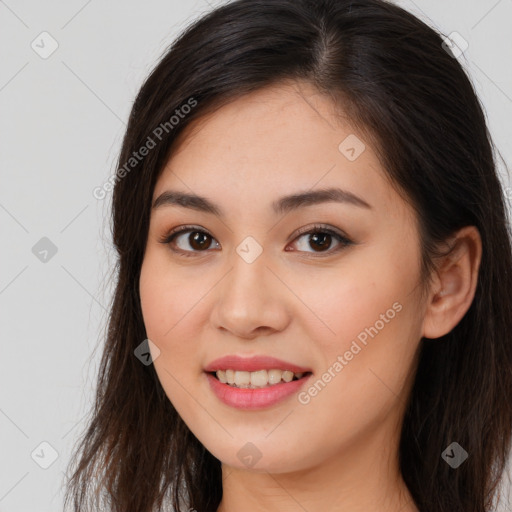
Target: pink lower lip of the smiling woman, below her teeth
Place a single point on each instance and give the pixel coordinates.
(258, 398)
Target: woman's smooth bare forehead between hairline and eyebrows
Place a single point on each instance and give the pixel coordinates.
(271, 142)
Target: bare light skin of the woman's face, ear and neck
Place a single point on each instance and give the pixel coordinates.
(303, 305)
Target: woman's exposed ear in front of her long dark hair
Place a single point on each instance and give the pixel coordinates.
(454, 284)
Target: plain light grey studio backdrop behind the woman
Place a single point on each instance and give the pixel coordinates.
(69, 74)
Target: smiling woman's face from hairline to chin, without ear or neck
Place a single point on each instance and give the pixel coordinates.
(249, 284)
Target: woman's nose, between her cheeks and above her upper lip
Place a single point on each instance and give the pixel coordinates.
(250, 300)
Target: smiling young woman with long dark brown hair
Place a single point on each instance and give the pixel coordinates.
(313, 303)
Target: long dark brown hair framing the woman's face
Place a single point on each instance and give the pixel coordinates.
(391, 74)
